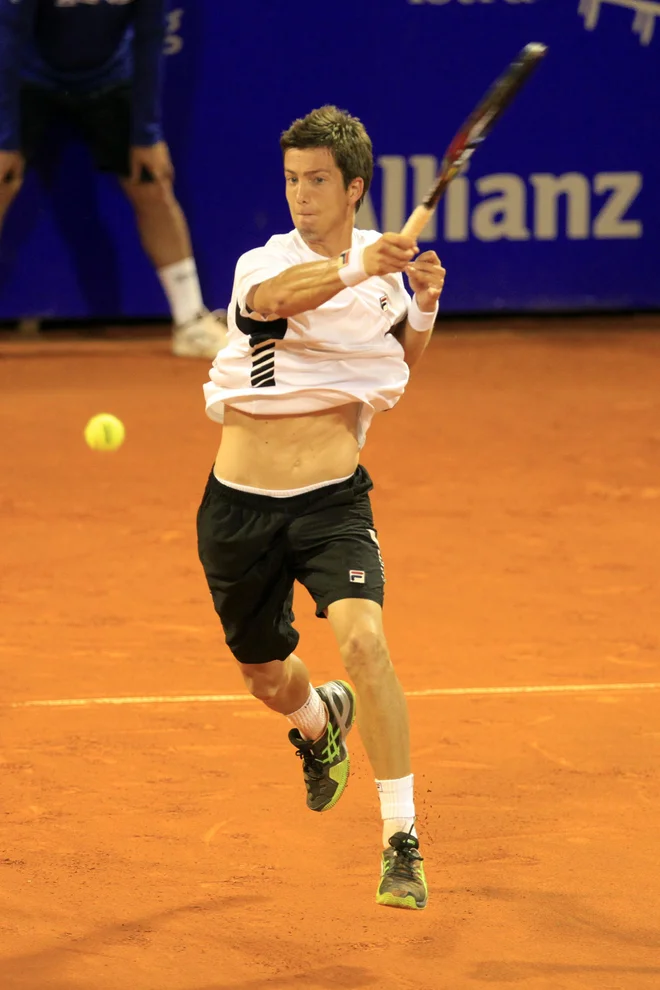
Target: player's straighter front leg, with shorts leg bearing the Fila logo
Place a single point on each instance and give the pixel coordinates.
(339, 562)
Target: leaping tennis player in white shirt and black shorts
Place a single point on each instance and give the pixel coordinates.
(322, 333)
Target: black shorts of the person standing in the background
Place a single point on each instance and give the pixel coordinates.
(103, 120)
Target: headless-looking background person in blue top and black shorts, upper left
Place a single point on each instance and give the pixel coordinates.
(99, 63)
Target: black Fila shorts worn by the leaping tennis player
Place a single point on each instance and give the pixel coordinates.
(253, 548)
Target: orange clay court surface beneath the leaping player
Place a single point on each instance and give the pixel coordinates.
(155, 836)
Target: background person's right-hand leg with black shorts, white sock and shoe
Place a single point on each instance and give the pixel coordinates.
(105, 121)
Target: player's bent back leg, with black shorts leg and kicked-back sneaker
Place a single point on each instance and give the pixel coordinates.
(242, 541)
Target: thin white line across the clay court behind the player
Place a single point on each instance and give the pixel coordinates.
(196, 699)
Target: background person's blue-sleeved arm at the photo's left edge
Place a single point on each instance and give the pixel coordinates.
(16, 20)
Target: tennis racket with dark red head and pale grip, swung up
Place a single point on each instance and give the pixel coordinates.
(477, 126)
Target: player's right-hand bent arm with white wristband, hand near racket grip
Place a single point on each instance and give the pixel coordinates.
(427, 278)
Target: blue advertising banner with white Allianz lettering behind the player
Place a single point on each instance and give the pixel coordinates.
(558, 210)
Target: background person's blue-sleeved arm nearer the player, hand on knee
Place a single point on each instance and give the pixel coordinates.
(148, 148)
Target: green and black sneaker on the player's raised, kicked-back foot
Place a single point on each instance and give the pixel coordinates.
(326, 762)
